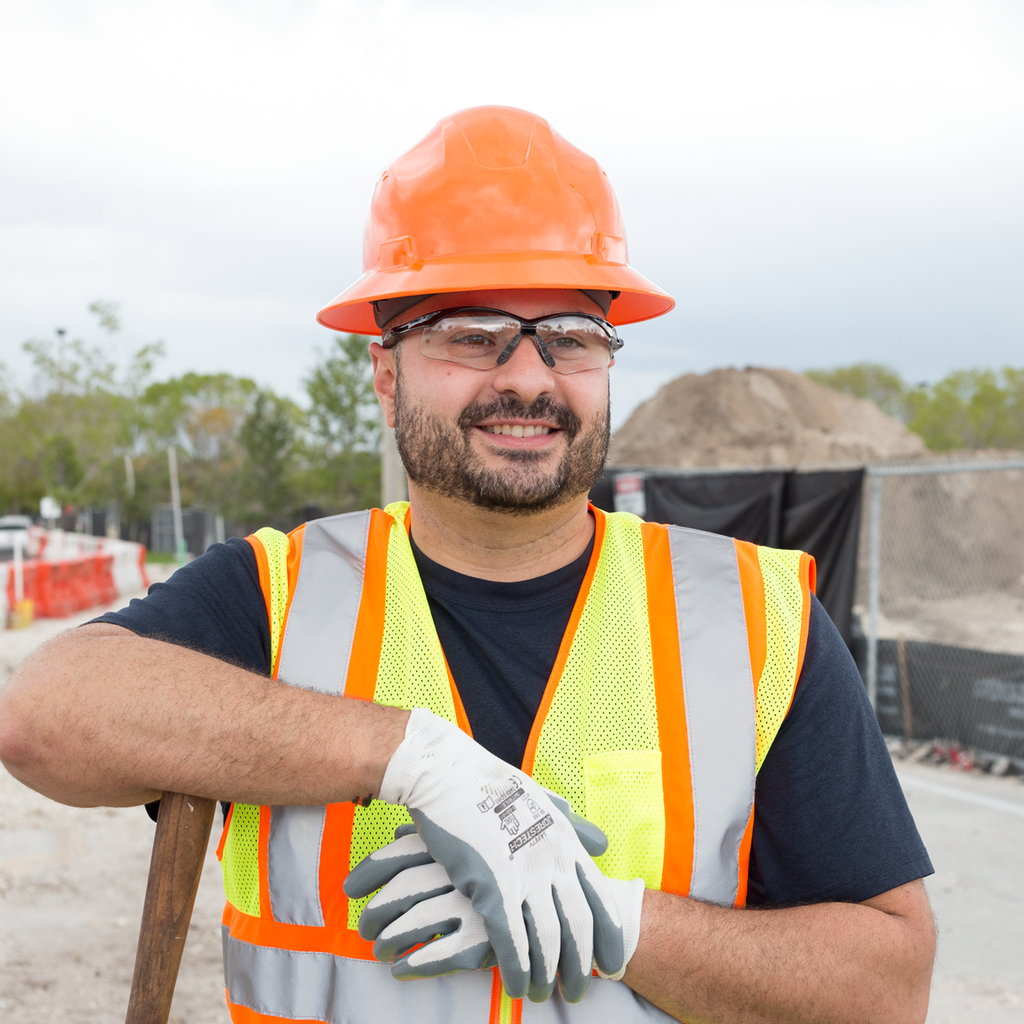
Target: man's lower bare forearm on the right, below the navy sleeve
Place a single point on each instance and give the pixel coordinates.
(831, 963)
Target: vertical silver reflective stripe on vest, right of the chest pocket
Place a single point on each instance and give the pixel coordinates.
(719, 694)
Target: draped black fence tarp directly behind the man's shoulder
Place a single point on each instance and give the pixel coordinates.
(818, 513)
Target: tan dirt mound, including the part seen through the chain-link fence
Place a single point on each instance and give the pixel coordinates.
(953, 544)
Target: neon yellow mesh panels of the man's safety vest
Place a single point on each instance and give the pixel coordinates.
(600, 744)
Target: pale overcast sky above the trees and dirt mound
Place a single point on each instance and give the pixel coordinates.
(818, 183)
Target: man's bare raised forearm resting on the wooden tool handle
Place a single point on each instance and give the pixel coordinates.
(100, 716)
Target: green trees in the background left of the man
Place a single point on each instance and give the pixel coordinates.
(243, 451)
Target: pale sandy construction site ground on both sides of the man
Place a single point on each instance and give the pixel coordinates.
(72, 883)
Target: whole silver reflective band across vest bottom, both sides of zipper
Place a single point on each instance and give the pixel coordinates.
(342, 991)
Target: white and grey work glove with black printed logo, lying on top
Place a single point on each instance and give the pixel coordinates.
(547, 909)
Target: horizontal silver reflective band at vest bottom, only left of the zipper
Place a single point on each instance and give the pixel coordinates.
(340, 991)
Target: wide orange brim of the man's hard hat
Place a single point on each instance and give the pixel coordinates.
(639, 298)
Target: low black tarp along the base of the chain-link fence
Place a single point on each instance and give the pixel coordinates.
(975, 698)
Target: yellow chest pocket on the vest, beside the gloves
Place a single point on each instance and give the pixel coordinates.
(625, 798)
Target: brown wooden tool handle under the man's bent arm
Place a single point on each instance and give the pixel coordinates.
(179, 851)
